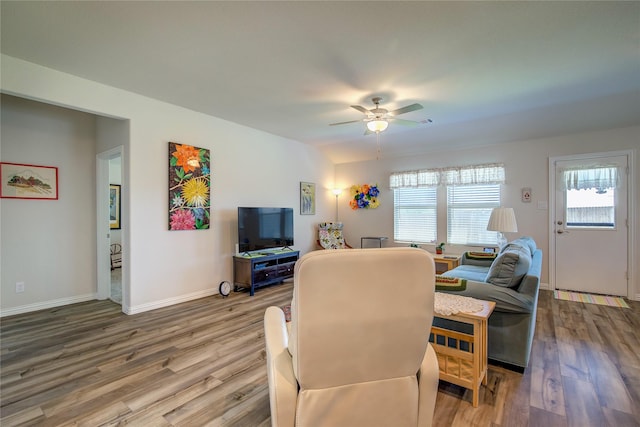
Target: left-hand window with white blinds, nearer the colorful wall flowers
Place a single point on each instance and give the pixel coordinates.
(415, 214)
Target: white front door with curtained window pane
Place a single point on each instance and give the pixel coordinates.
(590, 224)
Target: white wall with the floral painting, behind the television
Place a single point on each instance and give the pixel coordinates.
(249, 167)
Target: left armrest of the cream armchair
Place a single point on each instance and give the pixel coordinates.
(283, 387)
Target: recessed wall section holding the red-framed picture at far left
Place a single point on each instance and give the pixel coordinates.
(50, 245)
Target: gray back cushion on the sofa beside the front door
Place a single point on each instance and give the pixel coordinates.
(510, 266)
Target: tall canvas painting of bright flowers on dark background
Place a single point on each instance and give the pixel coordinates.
(189, 187)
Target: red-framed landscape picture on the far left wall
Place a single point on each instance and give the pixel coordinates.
(23, 181)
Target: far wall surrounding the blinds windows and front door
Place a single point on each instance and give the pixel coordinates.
(526, 164)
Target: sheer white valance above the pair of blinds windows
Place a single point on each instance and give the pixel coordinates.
(463, 175)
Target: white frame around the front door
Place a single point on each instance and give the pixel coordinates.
(631, 203)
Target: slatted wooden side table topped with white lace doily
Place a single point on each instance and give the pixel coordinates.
(463, 358)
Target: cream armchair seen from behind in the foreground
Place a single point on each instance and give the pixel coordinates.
(356, 351)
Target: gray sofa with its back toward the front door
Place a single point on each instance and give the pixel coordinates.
(512, 280)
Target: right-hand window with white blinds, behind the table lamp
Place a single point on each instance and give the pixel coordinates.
(468, 211)
